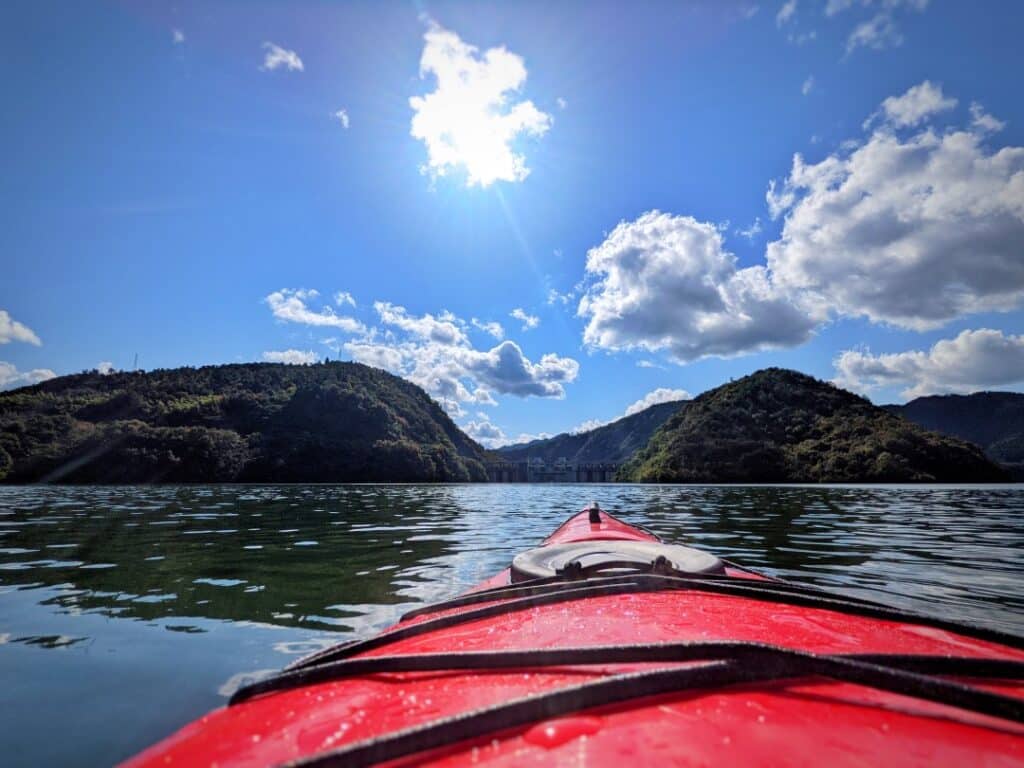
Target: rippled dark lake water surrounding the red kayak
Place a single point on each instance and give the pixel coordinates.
(127, 612)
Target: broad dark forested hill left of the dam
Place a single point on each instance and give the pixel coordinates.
(255, 422)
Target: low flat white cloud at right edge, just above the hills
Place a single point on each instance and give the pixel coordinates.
(972, 361)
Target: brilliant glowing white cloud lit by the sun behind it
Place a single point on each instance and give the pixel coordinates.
(472, 120)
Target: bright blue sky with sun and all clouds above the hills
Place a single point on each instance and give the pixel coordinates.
(231, 182)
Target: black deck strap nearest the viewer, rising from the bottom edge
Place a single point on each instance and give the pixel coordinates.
(762, 664)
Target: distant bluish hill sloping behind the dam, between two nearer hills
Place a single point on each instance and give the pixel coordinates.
(614, 443)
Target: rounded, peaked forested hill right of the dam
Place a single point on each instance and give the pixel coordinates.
(783, 426)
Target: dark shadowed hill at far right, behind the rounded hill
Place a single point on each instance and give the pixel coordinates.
(993, 420)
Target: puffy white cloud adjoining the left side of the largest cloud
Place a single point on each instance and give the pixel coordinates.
(667, 283)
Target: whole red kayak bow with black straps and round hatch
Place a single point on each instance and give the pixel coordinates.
(606, 647)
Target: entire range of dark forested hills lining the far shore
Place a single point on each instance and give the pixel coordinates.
(339, 422)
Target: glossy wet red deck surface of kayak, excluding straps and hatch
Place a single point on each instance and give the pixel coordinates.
(800, 720)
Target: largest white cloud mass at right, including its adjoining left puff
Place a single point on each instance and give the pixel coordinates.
(907, 230)
